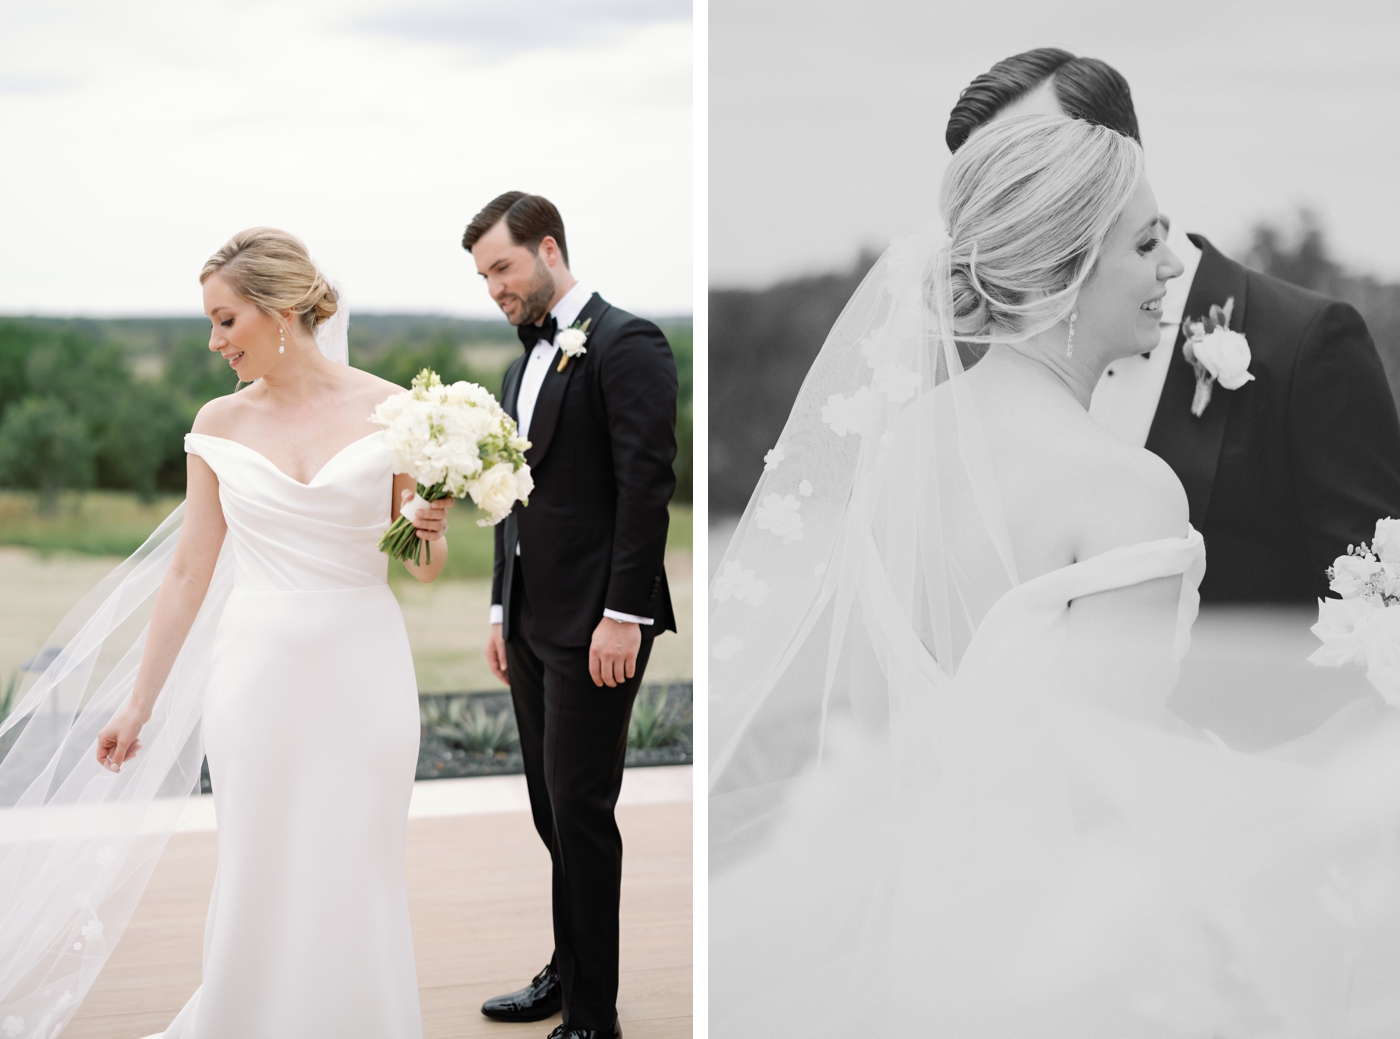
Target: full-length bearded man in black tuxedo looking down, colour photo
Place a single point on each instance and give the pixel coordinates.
(580, 586)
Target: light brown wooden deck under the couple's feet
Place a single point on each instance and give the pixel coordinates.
(479, 897)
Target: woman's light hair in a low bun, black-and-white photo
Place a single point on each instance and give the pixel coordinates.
(1028, 204)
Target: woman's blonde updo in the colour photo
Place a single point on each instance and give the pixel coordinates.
(274, 271)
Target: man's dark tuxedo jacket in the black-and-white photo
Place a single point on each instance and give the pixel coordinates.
(1287, 471)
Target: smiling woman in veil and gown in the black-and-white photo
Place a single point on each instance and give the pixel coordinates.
(947, 797)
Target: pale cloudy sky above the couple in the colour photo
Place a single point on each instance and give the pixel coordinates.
(138, 137)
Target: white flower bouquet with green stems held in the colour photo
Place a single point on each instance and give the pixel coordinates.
(454, 440)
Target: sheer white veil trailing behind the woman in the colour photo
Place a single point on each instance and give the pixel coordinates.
(79, 844)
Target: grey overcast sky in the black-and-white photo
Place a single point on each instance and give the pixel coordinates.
(827, 134)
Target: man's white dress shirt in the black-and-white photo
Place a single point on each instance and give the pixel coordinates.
(1126, 398)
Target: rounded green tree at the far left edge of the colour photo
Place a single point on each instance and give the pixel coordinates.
(44, 447)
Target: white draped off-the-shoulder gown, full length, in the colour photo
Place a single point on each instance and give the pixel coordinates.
(311, 730)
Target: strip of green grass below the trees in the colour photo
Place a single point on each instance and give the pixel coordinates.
(107, 523)
